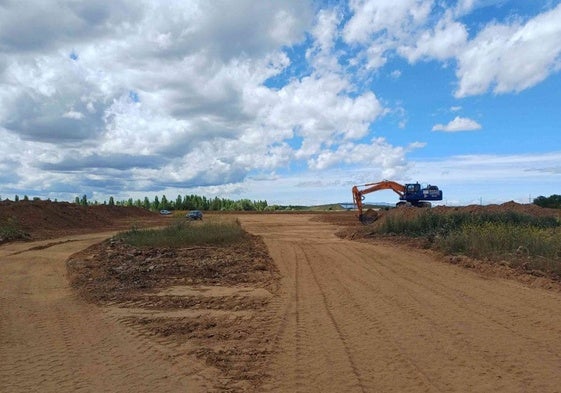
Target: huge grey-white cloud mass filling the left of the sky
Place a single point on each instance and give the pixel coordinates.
(173, 96)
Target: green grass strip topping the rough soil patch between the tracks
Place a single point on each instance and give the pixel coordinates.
(186, 233)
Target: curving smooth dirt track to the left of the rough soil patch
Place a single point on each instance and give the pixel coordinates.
(52, 341)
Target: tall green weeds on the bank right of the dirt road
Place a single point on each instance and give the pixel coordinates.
(523, 240)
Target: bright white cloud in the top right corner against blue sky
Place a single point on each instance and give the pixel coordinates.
(511, 57)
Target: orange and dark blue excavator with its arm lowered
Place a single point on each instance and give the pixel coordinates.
(412, 194)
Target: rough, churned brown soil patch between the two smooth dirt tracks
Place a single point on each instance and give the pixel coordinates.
(211, 302)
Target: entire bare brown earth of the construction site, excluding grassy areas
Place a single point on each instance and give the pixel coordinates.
(305, 305)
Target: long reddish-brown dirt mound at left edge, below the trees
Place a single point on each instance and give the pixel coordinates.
(42, 219)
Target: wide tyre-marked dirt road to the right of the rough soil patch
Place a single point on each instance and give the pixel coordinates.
(357, 317)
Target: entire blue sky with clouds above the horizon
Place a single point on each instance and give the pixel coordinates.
(289, 101)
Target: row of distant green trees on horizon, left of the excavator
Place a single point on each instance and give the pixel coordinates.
(186, 202)
